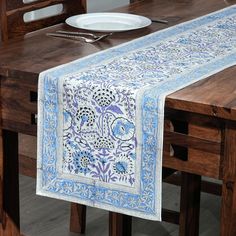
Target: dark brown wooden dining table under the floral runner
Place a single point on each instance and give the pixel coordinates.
(203, 115)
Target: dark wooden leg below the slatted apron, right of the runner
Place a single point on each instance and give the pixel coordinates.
(190, 204)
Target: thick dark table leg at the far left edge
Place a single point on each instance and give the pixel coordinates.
(10, 219)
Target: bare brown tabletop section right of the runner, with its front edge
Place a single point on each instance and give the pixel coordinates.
(214, 96)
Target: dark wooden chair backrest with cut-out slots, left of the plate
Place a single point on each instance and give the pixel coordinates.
(13, 15)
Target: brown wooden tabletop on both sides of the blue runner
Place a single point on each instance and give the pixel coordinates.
(216, 95)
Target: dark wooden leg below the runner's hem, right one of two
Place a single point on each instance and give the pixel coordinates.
(119, 224)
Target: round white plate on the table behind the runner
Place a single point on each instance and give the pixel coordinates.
(108, 22)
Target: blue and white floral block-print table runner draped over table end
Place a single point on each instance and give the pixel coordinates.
(100, 118)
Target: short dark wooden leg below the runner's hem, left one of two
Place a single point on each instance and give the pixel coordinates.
(78, 218)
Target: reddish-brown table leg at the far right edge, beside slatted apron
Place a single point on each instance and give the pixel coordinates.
(228, 208)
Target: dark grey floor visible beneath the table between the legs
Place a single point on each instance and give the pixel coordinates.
(48, 217)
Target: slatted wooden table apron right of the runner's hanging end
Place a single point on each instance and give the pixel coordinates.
(199, 143)
